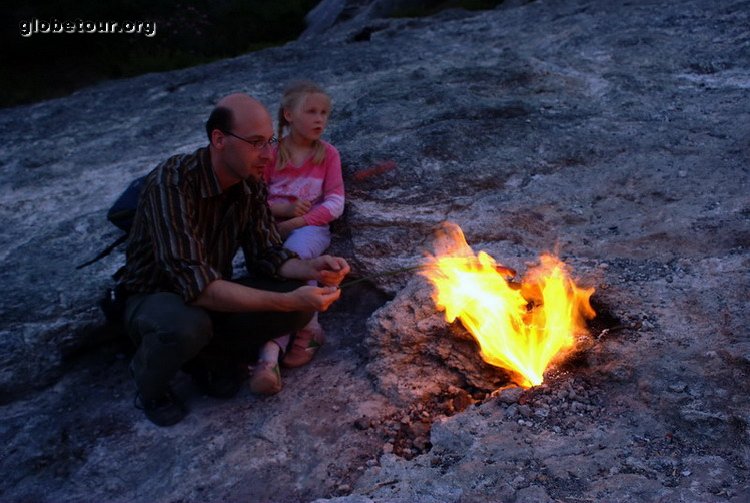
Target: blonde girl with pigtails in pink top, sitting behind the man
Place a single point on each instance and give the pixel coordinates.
(306, 192)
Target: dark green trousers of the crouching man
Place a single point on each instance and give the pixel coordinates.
(171, 335)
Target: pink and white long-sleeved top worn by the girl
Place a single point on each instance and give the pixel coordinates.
(322, 184)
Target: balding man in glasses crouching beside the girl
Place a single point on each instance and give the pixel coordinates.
(183, 310)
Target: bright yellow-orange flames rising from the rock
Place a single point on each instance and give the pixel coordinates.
(520, 327)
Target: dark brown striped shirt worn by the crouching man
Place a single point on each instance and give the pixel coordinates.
(187, 230)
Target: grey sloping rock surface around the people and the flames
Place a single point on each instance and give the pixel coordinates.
(614, 133)
